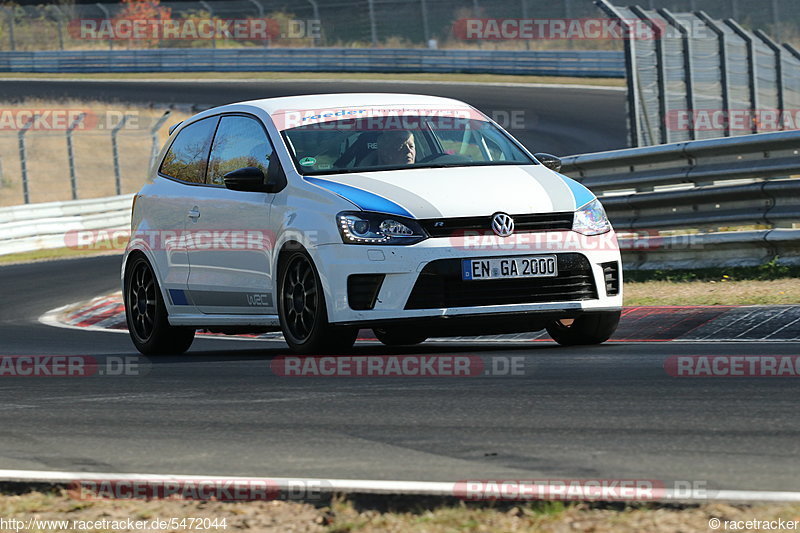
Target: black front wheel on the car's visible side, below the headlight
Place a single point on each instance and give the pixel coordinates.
(302, 311)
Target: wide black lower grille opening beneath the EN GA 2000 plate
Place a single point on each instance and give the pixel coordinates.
(440, 285)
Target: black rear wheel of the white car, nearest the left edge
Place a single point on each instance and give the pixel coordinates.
(146, 313)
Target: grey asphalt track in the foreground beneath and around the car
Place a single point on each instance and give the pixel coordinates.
(609, 411)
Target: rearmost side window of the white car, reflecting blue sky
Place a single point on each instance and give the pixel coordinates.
(186, 159)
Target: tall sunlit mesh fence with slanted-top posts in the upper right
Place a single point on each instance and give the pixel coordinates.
(696, 77)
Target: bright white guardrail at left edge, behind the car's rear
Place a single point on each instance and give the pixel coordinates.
(25, 228)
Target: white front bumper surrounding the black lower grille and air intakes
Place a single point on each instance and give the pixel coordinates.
(402, 266)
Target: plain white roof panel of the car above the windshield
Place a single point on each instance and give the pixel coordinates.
(326, 101)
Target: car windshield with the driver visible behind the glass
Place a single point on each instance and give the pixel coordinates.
(390, 143)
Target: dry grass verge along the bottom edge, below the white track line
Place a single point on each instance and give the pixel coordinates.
(344, 516)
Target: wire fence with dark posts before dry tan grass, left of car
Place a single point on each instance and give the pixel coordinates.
(74, 151)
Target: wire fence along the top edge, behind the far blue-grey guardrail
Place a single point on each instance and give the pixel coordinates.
(389, 23)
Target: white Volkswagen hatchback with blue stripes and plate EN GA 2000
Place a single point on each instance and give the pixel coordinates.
(415, 216)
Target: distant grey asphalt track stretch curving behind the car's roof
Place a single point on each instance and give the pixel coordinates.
(557, 120)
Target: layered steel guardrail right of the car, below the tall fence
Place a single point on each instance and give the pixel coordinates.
(675, 200)
